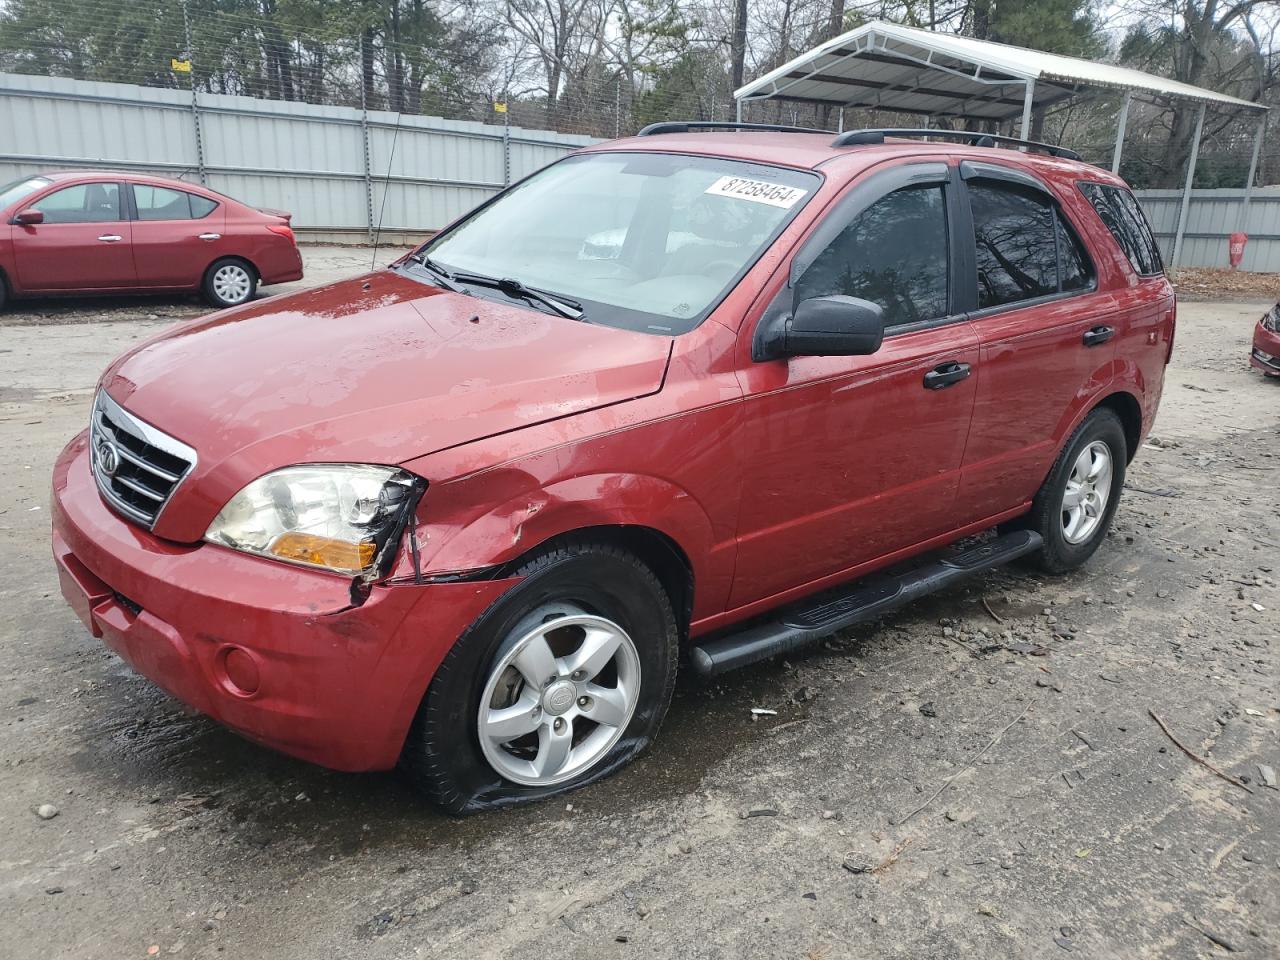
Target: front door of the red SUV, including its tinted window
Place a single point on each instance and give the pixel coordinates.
(853, 459)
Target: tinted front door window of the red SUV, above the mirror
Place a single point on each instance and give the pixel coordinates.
(894, 254)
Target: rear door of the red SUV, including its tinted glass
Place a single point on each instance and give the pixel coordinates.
(1046, 335)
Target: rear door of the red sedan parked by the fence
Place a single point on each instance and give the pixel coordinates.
(176, 235)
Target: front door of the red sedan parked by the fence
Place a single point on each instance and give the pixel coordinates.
(84, 243)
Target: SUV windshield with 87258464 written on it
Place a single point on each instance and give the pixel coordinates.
(646, 241)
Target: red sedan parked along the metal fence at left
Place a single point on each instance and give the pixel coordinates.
(107, 232)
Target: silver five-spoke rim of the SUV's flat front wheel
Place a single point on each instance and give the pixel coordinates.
(560, 700)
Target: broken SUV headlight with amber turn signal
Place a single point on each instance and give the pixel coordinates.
(335, 516)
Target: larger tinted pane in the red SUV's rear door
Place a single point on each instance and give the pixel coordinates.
(1017, 244)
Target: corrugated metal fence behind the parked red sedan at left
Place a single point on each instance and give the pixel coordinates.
(301, 158)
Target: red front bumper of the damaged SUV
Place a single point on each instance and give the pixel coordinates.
(277, 653)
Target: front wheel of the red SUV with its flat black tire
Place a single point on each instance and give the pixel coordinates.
(577, 597)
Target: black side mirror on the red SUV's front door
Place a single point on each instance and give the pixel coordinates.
(825, 327)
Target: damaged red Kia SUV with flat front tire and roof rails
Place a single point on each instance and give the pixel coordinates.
(685, 397)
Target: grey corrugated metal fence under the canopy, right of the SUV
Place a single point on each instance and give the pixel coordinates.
(1213, 217)
